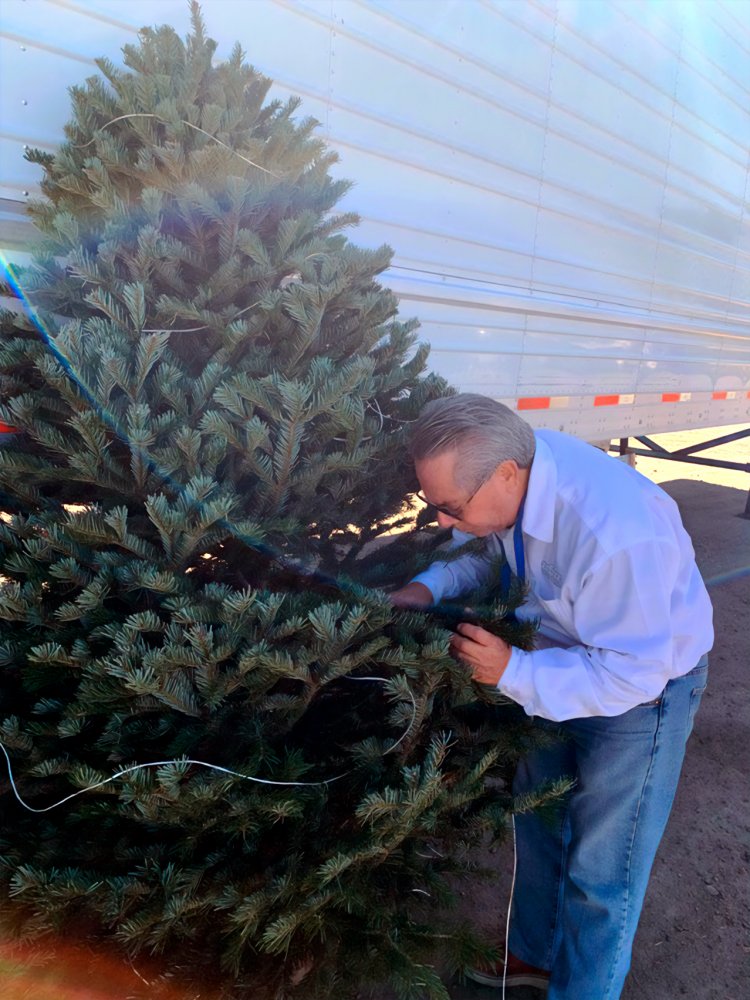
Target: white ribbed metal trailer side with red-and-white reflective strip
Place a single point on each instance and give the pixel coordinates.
(565, 183)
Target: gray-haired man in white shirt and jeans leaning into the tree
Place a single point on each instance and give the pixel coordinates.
(620, 667)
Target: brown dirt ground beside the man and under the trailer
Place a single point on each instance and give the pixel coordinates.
(694, 935)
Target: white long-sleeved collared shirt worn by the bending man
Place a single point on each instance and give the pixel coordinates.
(613, 581)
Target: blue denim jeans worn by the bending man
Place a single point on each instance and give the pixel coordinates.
(582, 878)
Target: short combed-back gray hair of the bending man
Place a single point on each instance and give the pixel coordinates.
(483, 430)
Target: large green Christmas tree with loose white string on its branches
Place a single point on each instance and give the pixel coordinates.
(209, 392)
